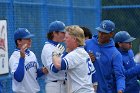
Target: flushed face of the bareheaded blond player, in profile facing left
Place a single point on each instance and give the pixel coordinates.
(69, 41)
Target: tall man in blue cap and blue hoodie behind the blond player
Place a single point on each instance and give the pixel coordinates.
(108, 62)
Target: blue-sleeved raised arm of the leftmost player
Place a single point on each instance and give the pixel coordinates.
(19, 73)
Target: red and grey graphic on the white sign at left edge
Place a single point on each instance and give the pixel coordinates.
(2, 38)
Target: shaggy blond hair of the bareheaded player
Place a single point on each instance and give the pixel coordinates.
(77, 32)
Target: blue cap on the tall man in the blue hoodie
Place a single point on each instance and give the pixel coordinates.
(106, 26)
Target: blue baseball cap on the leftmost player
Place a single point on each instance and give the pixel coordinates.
(22, 33)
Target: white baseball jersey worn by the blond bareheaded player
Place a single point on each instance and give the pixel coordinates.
(79, 71)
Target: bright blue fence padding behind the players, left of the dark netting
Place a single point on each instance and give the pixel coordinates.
(36, 15)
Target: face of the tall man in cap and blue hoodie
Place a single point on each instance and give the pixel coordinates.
(104, 38)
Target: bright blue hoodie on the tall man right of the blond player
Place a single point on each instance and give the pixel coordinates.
(108, 65)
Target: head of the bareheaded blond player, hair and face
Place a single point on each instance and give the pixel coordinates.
(74, 37)
